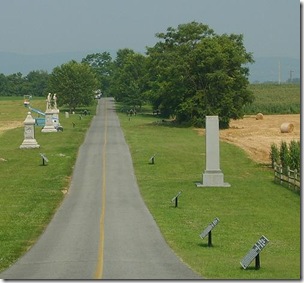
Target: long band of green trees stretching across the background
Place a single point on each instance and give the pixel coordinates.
(189, 73)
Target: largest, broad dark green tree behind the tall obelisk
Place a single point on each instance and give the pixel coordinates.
(195, 72)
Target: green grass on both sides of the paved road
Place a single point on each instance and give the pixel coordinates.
(253, 206)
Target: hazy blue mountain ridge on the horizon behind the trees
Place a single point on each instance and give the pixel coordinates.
(263, 70)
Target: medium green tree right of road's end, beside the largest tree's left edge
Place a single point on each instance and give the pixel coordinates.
(128, 83)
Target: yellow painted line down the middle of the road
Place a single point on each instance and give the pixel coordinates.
(99, 268)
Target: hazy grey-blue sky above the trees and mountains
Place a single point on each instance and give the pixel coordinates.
(270, 27)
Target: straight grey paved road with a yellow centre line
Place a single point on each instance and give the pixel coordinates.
(103, 229)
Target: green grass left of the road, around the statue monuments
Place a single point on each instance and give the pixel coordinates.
(30, 192)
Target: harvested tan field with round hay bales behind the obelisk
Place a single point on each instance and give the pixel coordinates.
(256, 136)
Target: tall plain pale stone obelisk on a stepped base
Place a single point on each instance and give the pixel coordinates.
(213, 175)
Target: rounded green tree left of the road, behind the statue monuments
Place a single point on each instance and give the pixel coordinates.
(74, 84)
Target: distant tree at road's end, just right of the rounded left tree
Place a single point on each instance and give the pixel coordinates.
(102, 65)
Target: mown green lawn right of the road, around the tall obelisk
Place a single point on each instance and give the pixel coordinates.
(253, 206)
